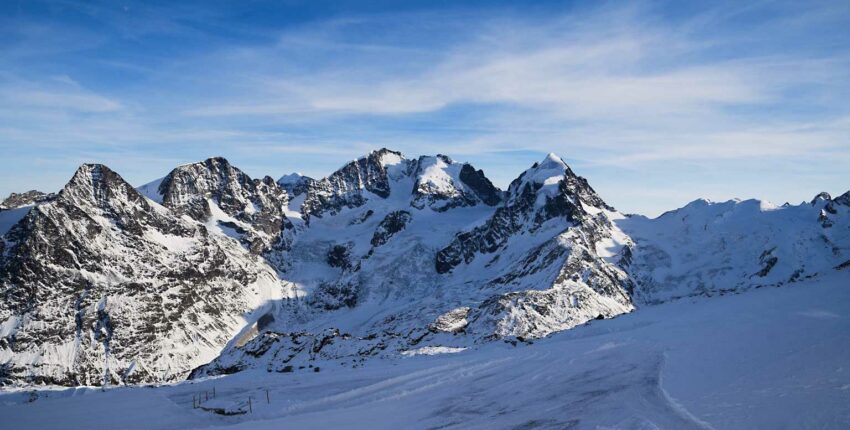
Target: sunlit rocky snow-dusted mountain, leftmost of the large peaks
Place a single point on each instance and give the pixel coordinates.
(100, 286)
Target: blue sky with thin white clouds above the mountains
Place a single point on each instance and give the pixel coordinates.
(656, 103)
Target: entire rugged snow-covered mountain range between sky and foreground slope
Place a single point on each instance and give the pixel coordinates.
(208, 271)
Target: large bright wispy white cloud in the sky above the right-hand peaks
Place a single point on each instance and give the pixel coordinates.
(614, 79)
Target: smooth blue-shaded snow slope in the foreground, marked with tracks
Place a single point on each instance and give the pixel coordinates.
(766, 358)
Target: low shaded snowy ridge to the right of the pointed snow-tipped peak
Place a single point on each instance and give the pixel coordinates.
(707, 248)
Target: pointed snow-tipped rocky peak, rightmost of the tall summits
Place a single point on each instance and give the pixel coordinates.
(577, 284)
